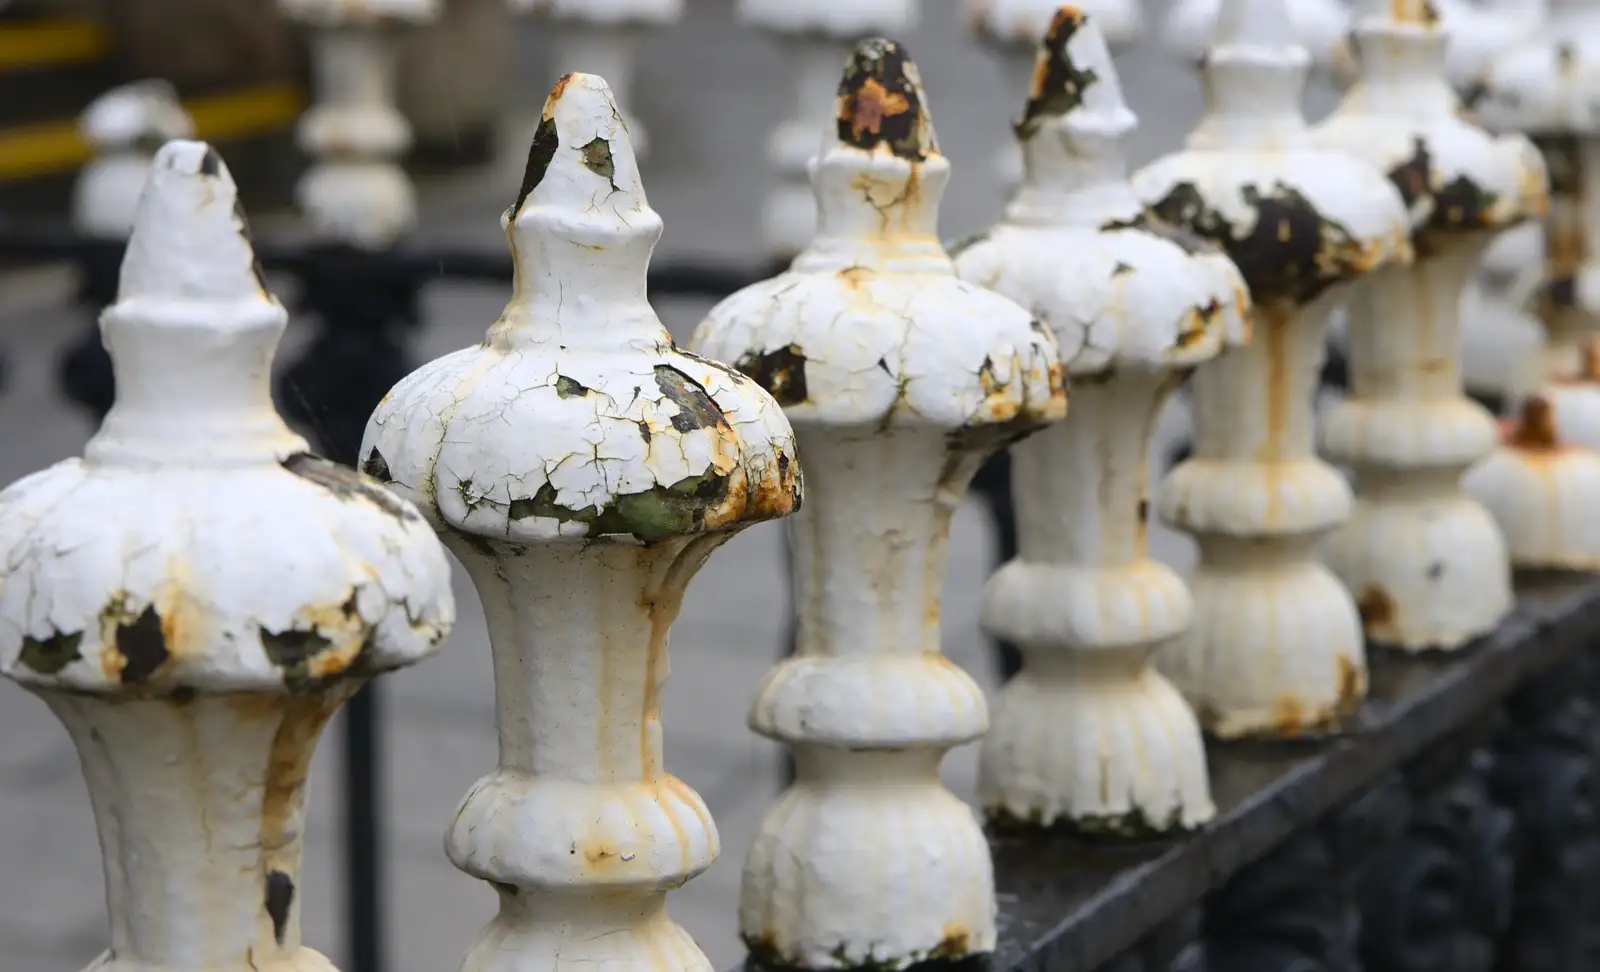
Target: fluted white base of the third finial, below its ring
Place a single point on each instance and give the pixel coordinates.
(868, 862)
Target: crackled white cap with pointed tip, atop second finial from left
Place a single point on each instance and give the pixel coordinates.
(577, 420)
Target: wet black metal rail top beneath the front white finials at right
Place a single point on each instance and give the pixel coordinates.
(1074, 907)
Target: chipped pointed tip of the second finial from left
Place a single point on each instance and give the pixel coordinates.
(583, 113)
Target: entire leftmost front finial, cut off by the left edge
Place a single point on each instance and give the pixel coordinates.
(196, 597)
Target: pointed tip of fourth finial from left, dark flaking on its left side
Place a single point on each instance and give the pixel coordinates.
(1074, 78)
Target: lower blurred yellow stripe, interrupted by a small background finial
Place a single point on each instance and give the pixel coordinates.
(49, 148)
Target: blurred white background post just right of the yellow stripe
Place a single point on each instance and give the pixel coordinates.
(356, 191)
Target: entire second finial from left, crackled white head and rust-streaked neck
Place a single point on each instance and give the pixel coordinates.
(583, 471)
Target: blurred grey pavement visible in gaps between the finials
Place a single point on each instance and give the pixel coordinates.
(710, 92)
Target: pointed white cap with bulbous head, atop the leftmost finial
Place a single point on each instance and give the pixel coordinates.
(198, 546)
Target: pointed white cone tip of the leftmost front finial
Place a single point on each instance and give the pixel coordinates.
(190, 236)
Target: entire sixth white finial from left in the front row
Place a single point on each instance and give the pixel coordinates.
(1428, 565)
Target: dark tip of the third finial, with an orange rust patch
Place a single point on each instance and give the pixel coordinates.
(881, 103)
